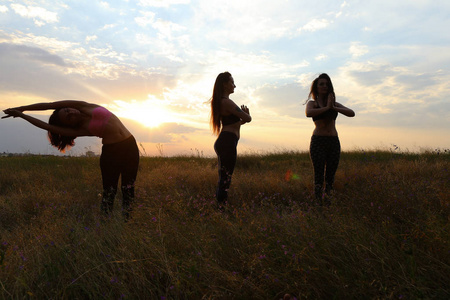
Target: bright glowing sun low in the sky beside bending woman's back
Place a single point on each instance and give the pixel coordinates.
(151, 113)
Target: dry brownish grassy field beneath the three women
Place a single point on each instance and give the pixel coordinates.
(385, 236)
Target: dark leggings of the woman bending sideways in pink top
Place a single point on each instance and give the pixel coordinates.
(119, 159)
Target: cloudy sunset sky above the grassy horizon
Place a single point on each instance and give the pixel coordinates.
(153, 63)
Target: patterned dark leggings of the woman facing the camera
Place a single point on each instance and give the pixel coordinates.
(325, 152)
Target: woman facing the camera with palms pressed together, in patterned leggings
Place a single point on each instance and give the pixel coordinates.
(325, 148)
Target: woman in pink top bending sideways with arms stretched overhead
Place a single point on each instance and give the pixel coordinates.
(120, 154)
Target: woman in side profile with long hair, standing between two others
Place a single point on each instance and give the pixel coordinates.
(226, 120)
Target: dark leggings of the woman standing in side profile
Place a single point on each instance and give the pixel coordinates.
(225, 147)
